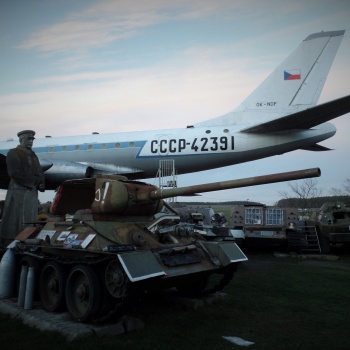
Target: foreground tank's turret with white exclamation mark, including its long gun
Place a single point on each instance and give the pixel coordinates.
(116, 195)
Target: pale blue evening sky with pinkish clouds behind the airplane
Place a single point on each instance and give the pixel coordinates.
(72, 67)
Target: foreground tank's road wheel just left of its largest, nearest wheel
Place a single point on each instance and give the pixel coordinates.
(53, 279)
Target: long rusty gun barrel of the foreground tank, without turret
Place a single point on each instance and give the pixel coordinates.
(245, 182)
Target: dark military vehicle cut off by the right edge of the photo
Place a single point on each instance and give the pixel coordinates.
(332, 223)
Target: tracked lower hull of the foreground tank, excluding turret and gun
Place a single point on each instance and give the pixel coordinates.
(94, 268)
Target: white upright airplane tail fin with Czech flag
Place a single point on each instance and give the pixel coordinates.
(296, 84)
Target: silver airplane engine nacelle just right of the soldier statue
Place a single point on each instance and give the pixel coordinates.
(61, 171)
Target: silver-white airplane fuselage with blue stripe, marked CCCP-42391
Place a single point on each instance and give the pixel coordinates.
(137, 154)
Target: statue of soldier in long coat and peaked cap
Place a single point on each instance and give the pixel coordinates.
(26, 178)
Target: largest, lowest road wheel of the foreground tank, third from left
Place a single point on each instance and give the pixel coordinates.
(83, 293)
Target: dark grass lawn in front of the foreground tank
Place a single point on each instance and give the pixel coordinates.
(278, 303)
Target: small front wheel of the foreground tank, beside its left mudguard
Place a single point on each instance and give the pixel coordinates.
(116, 280)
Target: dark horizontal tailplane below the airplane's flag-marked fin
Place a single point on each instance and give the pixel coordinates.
(305, 119)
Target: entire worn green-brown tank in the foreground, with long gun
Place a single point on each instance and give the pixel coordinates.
(107, 242)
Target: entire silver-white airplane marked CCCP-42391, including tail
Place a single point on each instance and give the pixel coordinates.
(279, 116)
